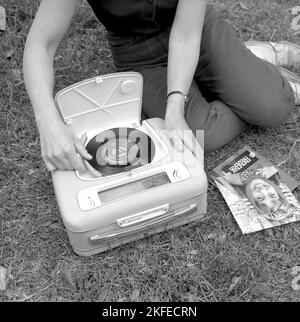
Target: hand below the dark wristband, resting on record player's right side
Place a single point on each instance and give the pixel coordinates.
(180, 133)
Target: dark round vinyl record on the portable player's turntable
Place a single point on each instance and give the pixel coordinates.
(120, 150)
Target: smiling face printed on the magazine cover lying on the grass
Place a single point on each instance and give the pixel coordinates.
(267, 198)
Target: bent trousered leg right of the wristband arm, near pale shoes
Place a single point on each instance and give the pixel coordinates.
(254, 89)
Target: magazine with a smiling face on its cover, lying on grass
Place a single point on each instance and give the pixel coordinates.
(255, 191)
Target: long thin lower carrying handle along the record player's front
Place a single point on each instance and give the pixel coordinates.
(139, 228)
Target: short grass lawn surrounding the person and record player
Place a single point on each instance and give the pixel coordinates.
(209, 261)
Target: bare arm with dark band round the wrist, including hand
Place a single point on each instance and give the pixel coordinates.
(184, 50)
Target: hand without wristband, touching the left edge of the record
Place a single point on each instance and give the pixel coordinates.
(60, 147)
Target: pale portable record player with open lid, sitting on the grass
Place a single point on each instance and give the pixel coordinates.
(137, 184)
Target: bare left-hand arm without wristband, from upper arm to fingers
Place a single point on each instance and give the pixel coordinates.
(58, 144)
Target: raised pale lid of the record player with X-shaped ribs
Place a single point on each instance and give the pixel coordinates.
(102, 102)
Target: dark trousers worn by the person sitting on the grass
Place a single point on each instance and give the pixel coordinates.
(231, 87)
